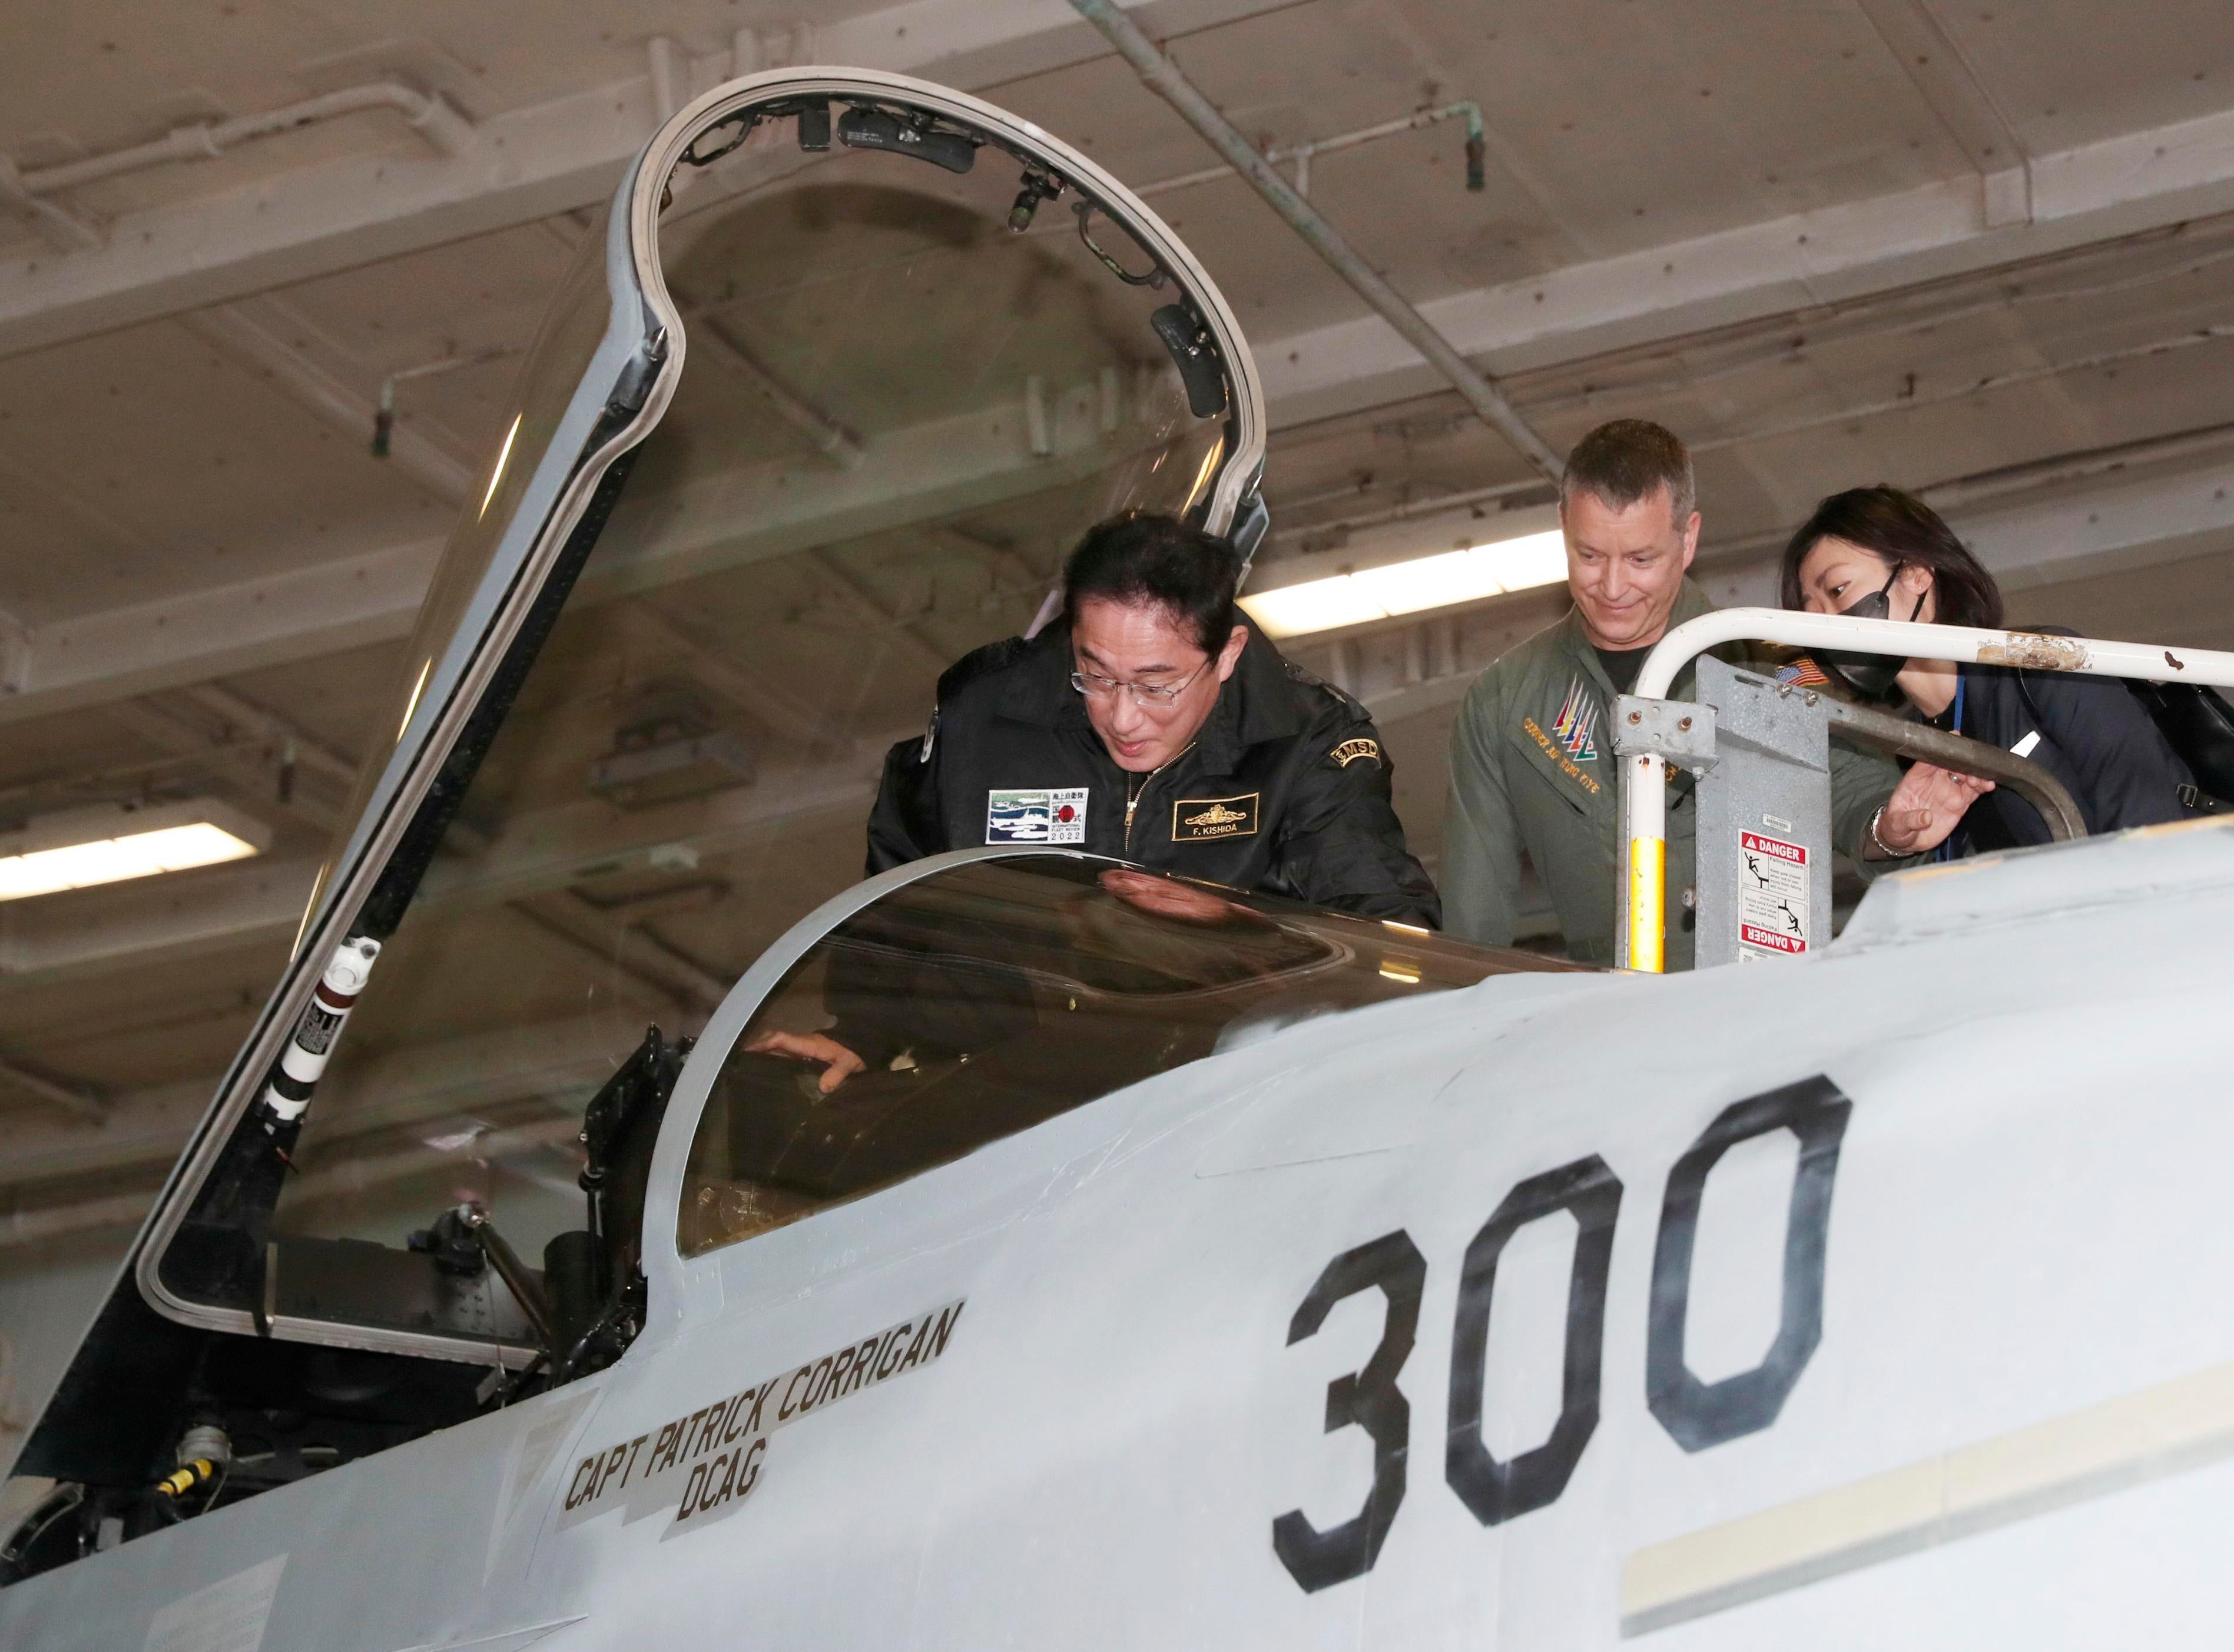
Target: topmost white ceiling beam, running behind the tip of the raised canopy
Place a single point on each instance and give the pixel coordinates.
(526, 164)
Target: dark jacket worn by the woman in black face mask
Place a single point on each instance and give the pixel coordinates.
(2092, 736)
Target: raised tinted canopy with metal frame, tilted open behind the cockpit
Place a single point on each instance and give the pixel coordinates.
(834, 383)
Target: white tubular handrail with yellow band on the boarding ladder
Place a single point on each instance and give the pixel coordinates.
(1645, 796)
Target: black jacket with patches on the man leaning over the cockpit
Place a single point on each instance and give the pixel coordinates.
(1283, 791)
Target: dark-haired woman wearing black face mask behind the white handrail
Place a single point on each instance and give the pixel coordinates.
(1878, 553)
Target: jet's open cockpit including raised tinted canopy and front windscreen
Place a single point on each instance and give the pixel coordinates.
(830, 390)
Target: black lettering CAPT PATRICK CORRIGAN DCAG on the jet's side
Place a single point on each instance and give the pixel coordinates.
(703, 1466)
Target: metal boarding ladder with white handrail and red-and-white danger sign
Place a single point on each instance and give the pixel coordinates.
(1762, 753)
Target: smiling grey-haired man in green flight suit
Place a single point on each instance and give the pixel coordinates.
(1531, 760)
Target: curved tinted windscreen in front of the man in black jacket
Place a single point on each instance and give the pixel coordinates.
(1000, 992)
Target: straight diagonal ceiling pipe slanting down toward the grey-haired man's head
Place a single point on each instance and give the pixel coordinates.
(1163, 77)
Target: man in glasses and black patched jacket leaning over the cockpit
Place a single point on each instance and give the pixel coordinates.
(1156, 724)
